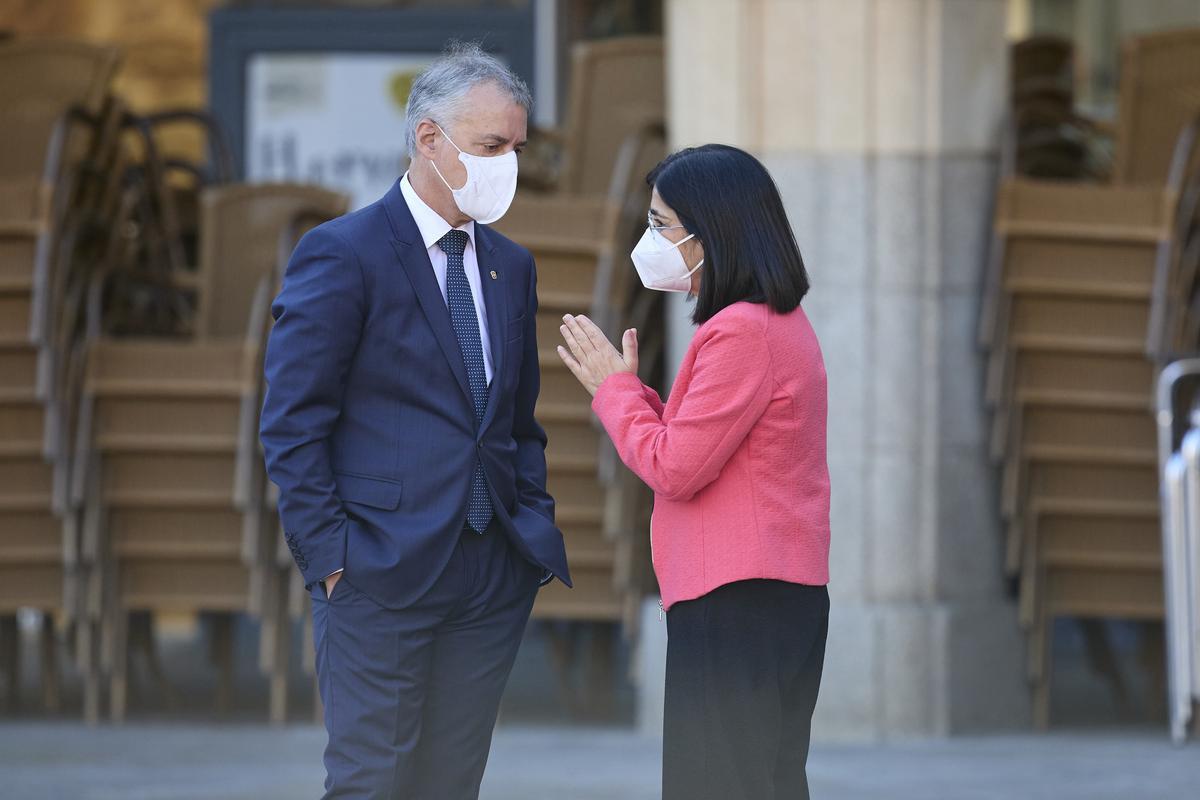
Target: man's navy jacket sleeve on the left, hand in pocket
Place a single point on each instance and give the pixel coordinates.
(319, 322)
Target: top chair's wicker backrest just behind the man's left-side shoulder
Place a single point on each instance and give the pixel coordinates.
(241, 227)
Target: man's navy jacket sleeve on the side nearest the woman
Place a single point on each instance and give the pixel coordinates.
(529, 435)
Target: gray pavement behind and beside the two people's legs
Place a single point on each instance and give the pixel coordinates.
(44, 761)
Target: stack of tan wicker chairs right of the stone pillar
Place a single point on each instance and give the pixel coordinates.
(1073, 322)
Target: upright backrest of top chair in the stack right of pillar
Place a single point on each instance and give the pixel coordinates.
(1160, 95)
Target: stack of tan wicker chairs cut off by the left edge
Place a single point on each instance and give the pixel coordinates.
(55, 98)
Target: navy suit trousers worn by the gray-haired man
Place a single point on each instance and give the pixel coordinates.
(412, 695)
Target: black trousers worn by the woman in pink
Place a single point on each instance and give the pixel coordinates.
(743, 672)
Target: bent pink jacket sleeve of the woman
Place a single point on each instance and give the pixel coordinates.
(729, 392)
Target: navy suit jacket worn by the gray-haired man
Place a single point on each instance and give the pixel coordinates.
(368, 423)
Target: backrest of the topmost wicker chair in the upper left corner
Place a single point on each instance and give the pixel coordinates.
(40, 80)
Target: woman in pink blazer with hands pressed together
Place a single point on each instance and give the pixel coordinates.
(737, 462)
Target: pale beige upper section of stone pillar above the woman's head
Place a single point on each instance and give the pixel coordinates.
(836, 76)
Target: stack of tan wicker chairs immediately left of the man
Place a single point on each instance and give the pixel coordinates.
(169, 473)
